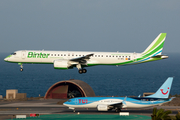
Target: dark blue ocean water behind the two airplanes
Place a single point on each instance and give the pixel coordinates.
(130, 80)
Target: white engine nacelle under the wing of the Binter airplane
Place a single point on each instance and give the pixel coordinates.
(61, 64)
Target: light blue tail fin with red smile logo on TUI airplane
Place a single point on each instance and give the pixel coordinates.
(164, 90)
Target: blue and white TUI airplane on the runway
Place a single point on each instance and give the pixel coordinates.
(117, 103)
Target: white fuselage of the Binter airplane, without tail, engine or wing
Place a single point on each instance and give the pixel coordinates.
(98, 58)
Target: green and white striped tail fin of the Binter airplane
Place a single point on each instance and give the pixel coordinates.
(155, 48)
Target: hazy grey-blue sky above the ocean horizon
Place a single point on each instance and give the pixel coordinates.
(88, 25)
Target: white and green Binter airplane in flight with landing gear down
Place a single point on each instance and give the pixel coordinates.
(70, 59)
